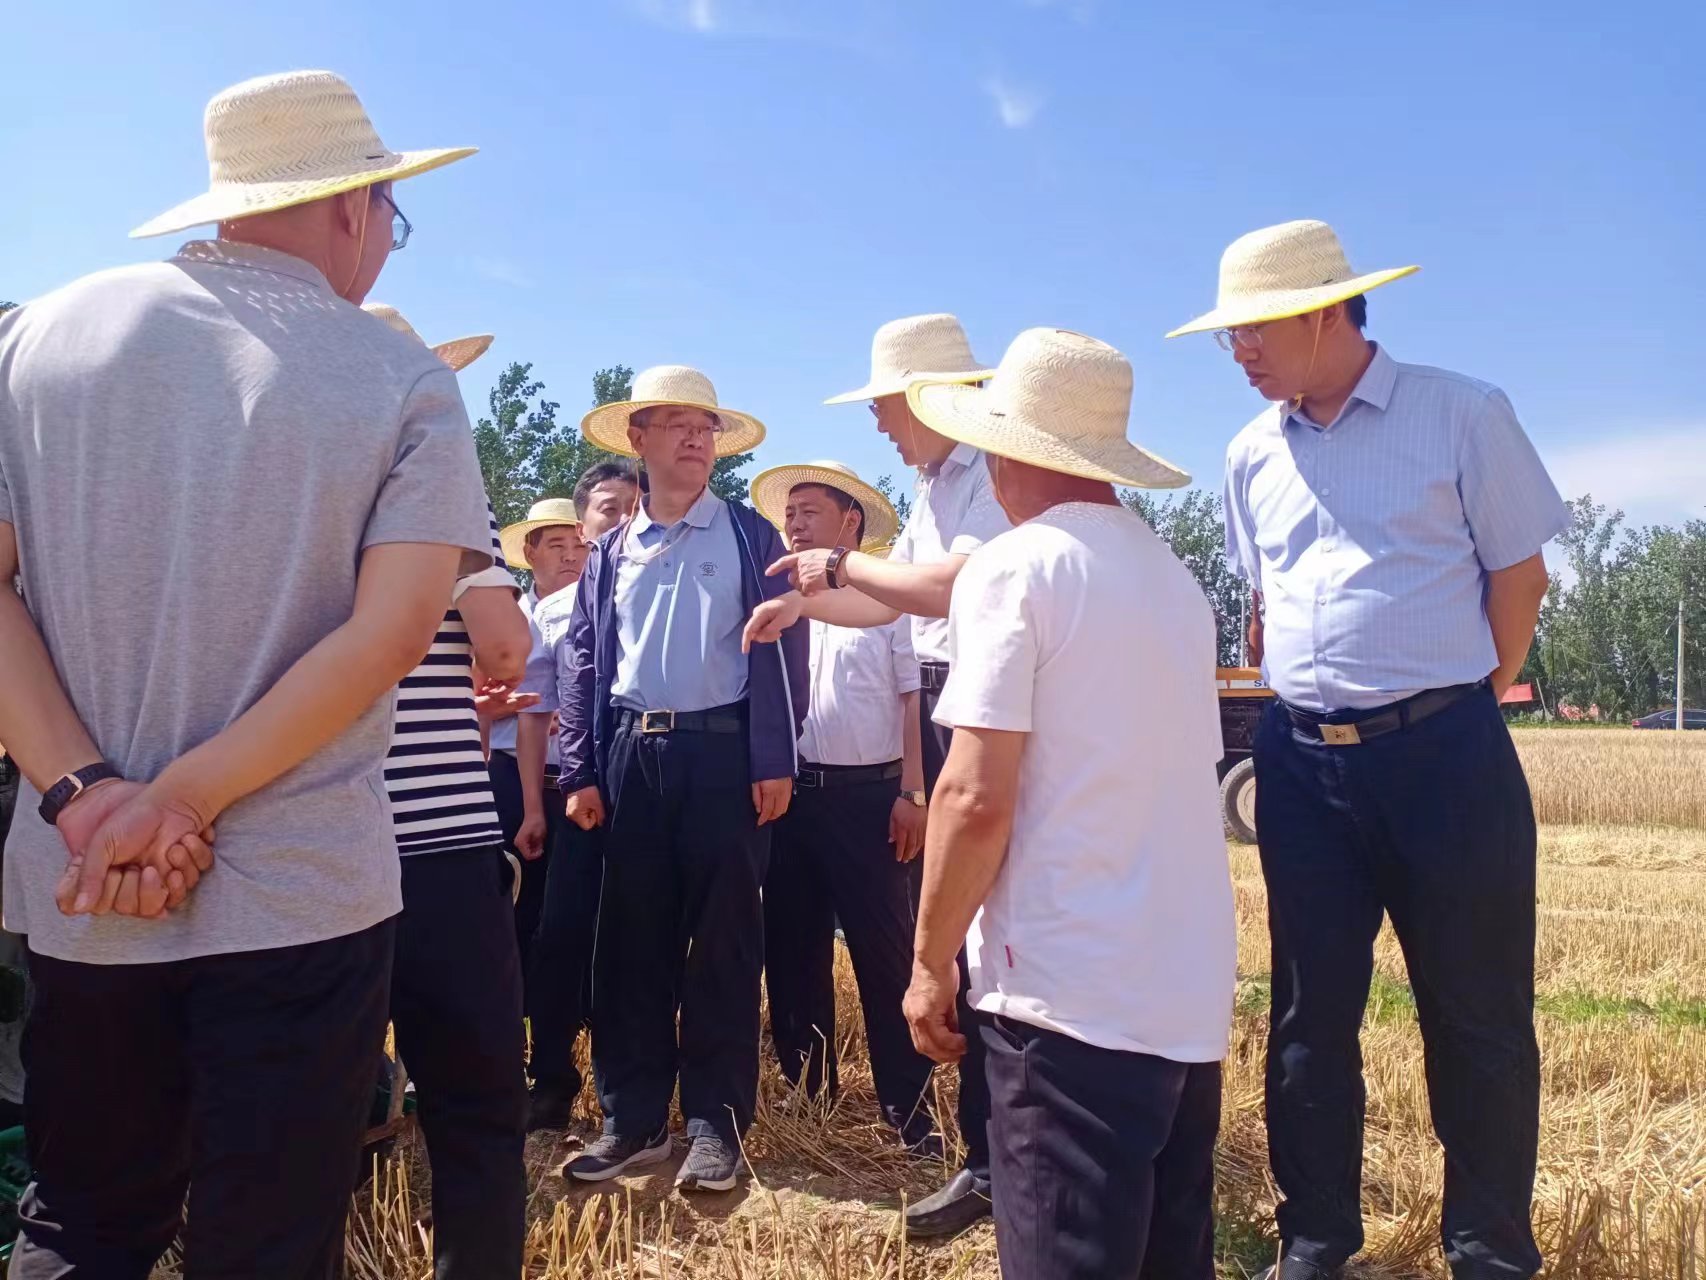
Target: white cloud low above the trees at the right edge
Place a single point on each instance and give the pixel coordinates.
(1656, 475)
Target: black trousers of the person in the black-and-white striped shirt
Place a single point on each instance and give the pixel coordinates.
(456, 1008)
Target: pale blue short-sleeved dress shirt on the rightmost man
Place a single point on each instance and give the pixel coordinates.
(1371, 540)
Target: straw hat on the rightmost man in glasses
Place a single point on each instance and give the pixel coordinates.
(1287, 271)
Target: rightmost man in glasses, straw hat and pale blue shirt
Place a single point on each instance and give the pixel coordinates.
(1390, 520)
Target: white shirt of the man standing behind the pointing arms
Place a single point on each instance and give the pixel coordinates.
(859, 677)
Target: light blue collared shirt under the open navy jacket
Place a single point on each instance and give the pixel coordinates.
(680, 614)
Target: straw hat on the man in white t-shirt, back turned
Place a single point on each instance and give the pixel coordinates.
(1059, 402)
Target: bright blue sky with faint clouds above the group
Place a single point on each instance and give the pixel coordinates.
(753, 187)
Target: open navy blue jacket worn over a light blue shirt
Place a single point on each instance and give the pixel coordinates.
(779, 684)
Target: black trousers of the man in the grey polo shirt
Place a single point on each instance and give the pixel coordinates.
(243, 1079)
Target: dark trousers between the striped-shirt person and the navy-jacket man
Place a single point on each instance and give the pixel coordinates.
(560, 969)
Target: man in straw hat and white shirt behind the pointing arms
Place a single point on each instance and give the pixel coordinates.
(857, 822)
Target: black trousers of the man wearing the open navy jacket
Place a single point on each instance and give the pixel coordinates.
(680, 931)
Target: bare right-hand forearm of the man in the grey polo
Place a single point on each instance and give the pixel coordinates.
(400, 602)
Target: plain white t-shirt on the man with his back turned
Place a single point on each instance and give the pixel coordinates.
(1111, 919)
